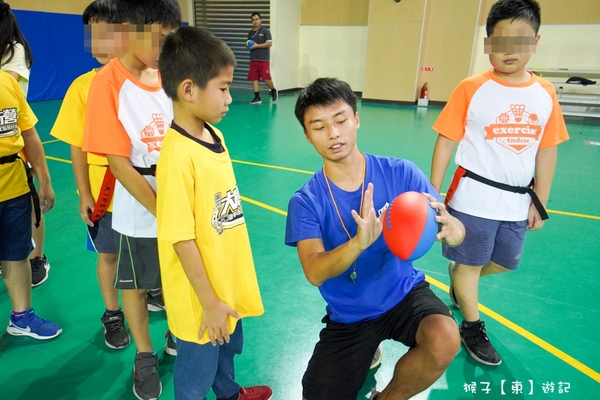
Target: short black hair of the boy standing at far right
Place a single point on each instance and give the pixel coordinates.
(526, 10)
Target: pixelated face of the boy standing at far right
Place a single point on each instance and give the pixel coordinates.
(510, 46)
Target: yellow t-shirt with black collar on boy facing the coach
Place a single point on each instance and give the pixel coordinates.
(198, 199)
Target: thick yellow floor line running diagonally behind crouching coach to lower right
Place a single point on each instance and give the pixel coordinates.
(492, 314)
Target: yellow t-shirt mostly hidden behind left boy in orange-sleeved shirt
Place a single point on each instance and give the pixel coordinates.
(69, 127)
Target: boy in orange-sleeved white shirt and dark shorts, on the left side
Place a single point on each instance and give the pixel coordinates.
(127, 116)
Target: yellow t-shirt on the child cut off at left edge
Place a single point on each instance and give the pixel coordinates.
(15, 116)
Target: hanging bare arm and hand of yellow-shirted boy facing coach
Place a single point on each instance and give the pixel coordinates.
(214, 317)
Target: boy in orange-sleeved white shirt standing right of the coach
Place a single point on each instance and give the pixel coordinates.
(508, 124)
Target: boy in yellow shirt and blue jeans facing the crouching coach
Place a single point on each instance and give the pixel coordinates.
(208, 276)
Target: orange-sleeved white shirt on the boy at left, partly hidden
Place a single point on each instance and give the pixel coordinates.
(127, 118)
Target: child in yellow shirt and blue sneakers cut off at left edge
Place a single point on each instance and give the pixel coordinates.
(17, 133)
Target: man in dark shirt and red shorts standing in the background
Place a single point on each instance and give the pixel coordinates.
(259, 58)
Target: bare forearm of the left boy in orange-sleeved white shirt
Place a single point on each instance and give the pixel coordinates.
(133, 181)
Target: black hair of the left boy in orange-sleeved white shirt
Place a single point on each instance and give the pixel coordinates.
(147, 12)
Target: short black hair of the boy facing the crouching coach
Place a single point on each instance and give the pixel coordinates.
(192, 53)
